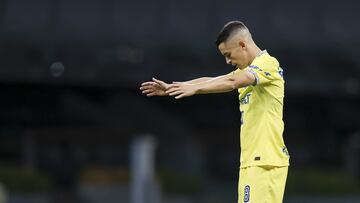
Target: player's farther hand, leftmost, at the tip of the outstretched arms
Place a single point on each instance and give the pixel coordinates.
(154, 88)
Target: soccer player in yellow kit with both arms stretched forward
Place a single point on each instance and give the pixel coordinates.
(259, 80)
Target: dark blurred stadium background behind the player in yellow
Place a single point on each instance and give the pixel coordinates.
(71, 112)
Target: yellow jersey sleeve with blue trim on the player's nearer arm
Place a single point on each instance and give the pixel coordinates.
(265, 72)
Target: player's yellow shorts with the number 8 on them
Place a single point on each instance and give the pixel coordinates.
(264, 184)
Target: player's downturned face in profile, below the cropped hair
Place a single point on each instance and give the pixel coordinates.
(234, 53)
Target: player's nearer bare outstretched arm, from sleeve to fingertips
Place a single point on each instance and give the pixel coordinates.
(219, 84)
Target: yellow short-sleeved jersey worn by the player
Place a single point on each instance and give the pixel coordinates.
(261, 106)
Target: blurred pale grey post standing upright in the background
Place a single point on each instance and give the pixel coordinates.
(144, 188)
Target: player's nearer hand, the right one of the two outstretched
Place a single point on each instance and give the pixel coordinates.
(181, 89)
